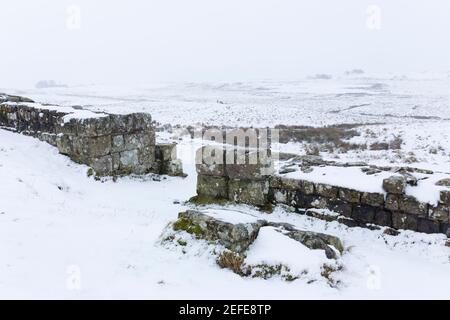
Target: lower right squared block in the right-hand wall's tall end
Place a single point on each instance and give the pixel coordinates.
(248, 191)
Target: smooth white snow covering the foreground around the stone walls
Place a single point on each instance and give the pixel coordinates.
(64, 235)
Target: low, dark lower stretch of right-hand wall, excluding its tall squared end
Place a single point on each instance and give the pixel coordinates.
(397, 210)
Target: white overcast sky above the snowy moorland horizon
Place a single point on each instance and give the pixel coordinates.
(139, 41)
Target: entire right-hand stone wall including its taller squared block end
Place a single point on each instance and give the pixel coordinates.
(244, 184)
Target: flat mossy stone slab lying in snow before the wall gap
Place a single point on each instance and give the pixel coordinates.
(235, 237)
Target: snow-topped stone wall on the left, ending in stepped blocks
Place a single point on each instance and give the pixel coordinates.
(110, 144)
